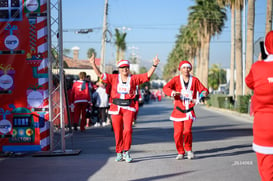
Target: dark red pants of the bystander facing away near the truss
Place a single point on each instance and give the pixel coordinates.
(80, 112)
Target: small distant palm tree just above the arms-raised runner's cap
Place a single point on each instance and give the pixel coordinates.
(120, 44)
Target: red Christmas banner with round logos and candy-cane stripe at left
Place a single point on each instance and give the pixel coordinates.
(24, 92)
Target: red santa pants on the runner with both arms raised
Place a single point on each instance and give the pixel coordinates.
(122, 125)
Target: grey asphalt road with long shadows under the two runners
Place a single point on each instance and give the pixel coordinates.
(221, 143)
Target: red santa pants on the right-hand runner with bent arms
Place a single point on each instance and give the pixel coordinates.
(183, 136)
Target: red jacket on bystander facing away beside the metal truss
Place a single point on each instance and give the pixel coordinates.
(79, 95)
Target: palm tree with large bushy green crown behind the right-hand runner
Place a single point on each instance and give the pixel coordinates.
(210, 17)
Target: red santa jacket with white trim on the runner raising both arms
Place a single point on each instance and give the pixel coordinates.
(132, 82)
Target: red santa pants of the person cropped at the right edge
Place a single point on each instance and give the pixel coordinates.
(265, 166)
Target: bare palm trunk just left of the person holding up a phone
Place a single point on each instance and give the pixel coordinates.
(250, 39)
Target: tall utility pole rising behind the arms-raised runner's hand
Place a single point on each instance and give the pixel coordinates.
(103, 40)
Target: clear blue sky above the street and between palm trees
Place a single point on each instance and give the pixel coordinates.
(151, 26)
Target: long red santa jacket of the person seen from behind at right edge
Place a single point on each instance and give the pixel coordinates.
(260, 79)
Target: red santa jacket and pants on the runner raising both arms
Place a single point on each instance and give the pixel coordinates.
(122, 116)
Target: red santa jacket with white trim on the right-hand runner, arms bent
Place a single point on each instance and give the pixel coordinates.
(195, 87)
